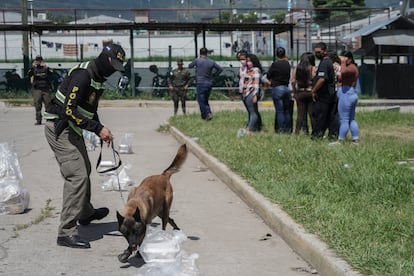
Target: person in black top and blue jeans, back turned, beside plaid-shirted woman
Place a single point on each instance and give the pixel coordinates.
(279, 76)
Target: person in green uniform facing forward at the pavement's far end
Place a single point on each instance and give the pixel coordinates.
(178, 85)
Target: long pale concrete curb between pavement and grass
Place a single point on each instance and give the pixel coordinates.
(308, 246)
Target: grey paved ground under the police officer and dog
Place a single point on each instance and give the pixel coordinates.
(227, 235)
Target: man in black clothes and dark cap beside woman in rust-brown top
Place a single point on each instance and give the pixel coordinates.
(323, 92)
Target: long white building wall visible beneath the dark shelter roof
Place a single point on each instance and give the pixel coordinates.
(61, 45)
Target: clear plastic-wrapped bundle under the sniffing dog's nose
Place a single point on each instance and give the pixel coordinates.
(163, 256)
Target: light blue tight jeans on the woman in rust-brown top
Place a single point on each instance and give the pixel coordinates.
(347, 102)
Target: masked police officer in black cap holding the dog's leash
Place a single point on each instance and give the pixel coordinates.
(74, 109)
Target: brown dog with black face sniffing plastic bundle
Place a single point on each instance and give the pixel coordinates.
(153, 197)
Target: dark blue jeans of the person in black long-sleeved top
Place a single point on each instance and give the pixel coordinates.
(282, 97)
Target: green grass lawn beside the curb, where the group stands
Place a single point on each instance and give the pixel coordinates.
(356, 198)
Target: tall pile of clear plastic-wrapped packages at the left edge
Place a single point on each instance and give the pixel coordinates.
(14, 199)
